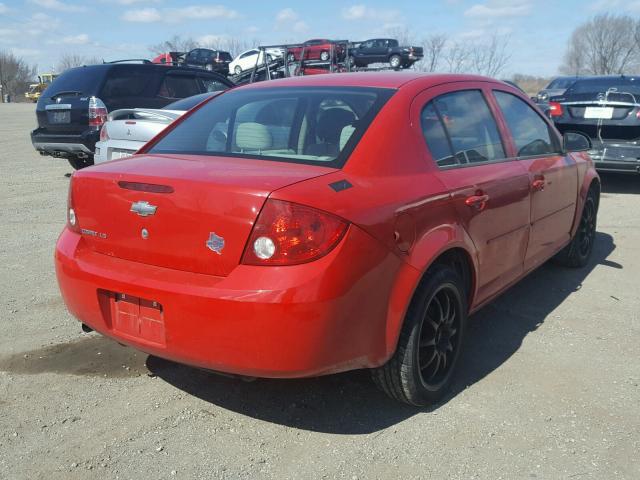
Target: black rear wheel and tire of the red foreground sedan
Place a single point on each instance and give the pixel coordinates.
(423, 365)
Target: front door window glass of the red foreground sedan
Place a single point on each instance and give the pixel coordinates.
(530, 132)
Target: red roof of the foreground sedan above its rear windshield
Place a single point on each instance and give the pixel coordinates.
(370, 79)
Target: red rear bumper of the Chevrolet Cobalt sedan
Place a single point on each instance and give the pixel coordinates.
(322, 317)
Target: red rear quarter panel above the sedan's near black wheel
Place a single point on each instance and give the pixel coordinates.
(395, 198)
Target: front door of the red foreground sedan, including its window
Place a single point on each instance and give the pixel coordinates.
(553, 177)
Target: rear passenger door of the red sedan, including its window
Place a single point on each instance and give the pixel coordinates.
(489, 189)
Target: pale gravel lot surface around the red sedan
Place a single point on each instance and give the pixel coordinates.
(549, 386)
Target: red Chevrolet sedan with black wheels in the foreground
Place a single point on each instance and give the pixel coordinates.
(319, 224)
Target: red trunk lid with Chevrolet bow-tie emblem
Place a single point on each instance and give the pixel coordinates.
(200, 219)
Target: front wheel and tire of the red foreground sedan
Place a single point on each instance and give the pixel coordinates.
(578, 252)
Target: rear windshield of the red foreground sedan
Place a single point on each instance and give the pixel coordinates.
(304, 125)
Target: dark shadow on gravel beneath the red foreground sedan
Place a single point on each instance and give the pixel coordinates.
(349, 403)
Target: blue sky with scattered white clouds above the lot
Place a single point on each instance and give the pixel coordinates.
(41, 31)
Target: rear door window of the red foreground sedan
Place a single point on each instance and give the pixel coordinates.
(464, 120)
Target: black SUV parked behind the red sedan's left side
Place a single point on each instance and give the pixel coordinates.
(73, 108)
